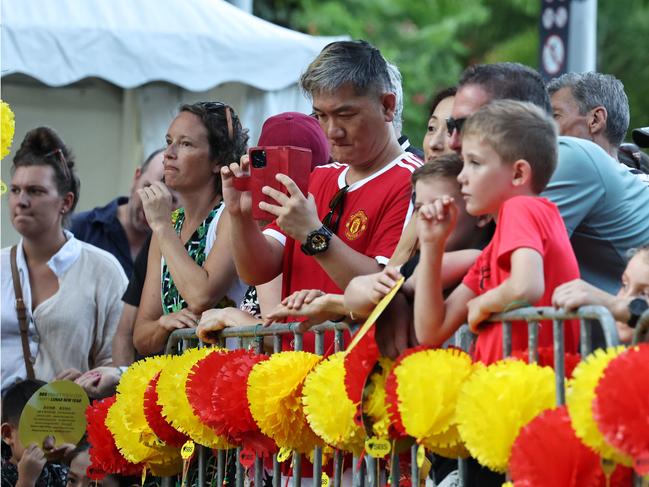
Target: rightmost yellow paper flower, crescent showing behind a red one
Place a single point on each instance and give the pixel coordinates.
(579, 399)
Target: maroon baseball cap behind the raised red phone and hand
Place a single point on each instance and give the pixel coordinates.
(299, 130)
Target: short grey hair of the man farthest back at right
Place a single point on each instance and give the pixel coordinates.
(592, 90)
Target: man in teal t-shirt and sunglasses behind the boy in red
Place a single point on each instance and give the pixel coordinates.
(604, 207)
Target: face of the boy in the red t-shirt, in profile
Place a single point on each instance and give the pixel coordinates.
(486, 182)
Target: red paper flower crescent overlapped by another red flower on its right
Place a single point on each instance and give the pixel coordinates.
(200, 384)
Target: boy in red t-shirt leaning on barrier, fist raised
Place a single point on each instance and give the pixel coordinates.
(510, 151)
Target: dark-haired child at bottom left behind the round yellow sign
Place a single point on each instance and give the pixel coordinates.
(26, 466)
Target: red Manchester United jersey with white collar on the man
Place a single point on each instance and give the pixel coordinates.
(373, 216)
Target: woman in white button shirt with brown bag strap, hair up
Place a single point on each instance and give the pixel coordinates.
(71, 290)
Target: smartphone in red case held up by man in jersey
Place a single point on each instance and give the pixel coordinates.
(265, 163)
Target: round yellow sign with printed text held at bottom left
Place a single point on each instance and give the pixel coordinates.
(57, 410)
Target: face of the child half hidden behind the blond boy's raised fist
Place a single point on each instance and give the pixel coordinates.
(432, 188)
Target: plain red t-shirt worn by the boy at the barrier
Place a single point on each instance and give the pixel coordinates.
(524, 222)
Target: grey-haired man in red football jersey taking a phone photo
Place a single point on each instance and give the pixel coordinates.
(353, 217)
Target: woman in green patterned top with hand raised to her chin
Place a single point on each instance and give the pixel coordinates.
(190, 268)
